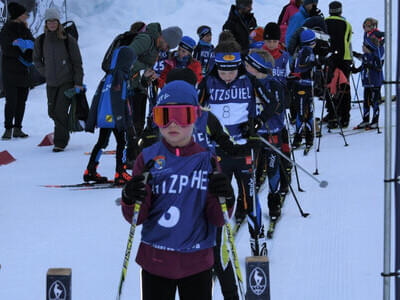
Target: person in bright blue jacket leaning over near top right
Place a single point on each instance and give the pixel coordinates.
(308, 9)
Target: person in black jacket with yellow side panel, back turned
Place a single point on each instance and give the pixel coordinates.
(340, 32)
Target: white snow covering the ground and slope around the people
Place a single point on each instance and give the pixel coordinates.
(335, 254)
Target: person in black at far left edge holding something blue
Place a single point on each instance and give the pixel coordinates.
(16, 44)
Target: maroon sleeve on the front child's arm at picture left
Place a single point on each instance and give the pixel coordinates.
(127, 210)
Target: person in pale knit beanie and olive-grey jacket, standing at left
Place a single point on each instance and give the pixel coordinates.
(57, 57)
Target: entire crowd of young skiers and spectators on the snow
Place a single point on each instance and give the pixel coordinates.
(207, 107)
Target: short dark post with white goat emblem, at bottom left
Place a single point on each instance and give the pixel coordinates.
(59, 284)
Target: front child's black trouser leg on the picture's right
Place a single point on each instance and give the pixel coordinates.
(196, 287)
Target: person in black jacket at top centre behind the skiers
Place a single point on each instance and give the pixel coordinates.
(241, 22)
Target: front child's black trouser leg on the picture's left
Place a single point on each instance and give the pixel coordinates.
(157, 288)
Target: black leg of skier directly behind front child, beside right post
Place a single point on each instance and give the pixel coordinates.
(223, 267)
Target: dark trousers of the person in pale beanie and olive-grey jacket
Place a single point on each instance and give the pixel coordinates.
(59, 105)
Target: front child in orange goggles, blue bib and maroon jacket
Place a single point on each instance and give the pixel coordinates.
(180, 211)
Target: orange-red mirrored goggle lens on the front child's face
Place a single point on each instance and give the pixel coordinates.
(183, 115)
